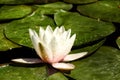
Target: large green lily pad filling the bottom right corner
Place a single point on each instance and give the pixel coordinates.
(102, 65)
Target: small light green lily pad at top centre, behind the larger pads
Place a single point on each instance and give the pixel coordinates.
(52, 8)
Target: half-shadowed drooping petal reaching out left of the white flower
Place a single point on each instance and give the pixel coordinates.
(27, 60)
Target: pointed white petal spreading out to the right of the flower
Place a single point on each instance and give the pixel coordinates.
(75, 56)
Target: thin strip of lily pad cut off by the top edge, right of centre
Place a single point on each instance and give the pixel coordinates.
(80, 1)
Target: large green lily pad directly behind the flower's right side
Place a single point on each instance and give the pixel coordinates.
(86, 29)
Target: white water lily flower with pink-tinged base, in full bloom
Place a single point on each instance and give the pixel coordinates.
(53, 47)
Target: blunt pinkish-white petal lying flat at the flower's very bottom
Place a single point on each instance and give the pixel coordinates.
(63, 66)
